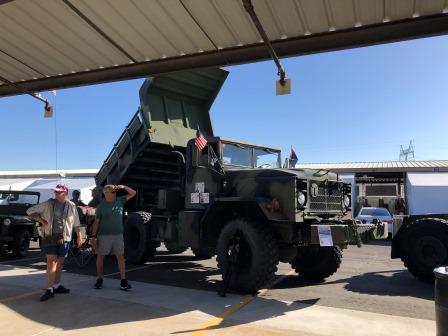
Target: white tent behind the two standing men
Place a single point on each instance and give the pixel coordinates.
(46, 185)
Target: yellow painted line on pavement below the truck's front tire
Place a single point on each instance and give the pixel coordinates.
(217, 320)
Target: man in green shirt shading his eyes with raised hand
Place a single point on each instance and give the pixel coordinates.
(107, 232)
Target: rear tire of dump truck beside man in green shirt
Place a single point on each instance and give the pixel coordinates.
(139, 246)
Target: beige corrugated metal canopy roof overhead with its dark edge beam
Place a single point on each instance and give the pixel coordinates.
(46, 44)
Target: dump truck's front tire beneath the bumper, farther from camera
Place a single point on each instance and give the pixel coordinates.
(317, 262)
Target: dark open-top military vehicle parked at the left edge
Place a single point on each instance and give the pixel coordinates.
(16, 228)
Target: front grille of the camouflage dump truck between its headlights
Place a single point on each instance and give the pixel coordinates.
(325, 197)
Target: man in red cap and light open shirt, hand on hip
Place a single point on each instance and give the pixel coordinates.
(59, 218)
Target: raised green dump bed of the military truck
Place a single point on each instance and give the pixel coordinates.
(148, 155)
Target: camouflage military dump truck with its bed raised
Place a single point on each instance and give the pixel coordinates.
(230, 198)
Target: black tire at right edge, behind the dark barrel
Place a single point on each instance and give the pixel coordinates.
(424, 246)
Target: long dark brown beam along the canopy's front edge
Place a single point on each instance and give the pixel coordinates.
(394, 31)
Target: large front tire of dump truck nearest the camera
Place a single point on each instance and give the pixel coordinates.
(257, 259)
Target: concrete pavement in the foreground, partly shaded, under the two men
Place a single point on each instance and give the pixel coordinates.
(154, 309)
